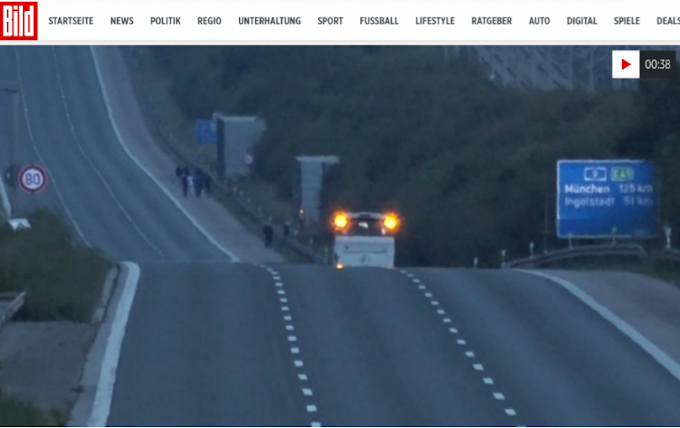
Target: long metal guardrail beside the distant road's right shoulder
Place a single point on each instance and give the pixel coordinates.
(170, 142)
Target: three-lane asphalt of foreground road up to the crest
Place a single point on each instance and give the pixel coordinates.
(375, 352)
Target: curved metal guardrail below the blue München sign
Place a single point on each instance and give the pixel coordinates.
(588, 251)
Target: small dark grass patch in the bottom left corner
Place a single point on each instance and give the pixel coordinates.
(17, 412)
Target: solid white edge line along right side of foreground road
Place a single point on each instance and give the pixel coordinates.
(659, 355)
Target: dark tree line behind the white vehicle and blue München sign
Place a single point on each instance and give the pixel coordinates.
(469, 164)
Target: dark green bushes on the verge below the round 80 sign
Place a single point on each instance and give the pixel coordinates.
(63, 280)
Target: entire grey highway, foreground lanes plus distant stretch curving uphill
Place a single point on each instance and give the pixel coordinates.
(204, 341)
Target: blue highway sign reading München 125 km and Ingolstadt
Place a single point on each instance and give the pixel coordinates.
(595, 196)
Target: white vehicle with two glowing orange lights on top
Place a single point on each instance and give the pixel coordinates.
(364, 239)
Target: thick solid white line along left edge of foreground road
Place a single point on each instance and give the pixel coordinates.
(107, 377)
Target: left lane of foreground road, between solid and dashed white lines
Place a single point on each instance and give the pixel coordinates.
(225, 363)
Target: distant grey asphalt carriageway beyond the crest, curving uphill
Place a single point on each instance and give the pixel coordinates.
(116, 206)
